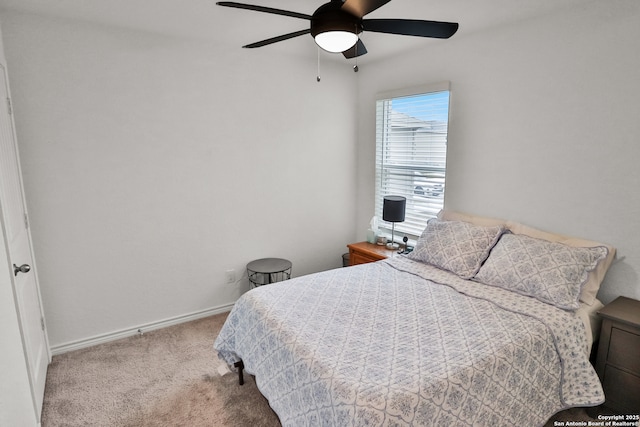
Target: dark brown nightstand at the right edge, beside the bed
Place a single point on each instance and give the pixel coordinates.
(618, 361)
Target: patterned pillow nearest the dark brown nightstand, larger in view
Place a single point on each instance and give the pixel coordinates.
(550, 272)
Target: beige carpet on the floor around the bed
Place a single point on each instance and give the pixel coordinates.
(163, 378)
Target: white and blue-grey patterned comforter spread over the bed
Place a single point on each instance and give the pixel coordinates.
(399, 342)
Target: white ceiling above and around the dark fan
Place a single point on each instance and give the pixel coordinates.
(204, 19)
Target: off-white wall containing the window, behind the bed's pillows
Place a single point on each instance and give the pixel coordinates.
(544, 126)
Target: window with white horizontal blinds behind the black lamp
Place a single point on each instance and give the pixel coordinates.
(411, 154)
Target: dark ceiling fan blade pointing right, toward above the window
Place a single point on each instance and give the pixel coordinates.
(411, 27)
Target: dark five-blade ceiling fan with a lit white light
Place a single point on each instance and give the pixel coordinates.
(335, 25)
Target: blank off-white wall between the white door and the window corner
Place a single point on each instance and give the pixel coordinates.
(154, 164)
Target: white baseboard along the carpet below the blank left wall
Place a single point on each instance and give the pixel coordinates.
(116, 335)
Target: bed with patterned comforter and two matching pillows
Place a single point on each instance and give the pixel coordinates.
(470, 329)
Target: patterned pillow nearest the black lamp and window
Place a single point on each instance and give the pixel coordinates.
(457, 246)
